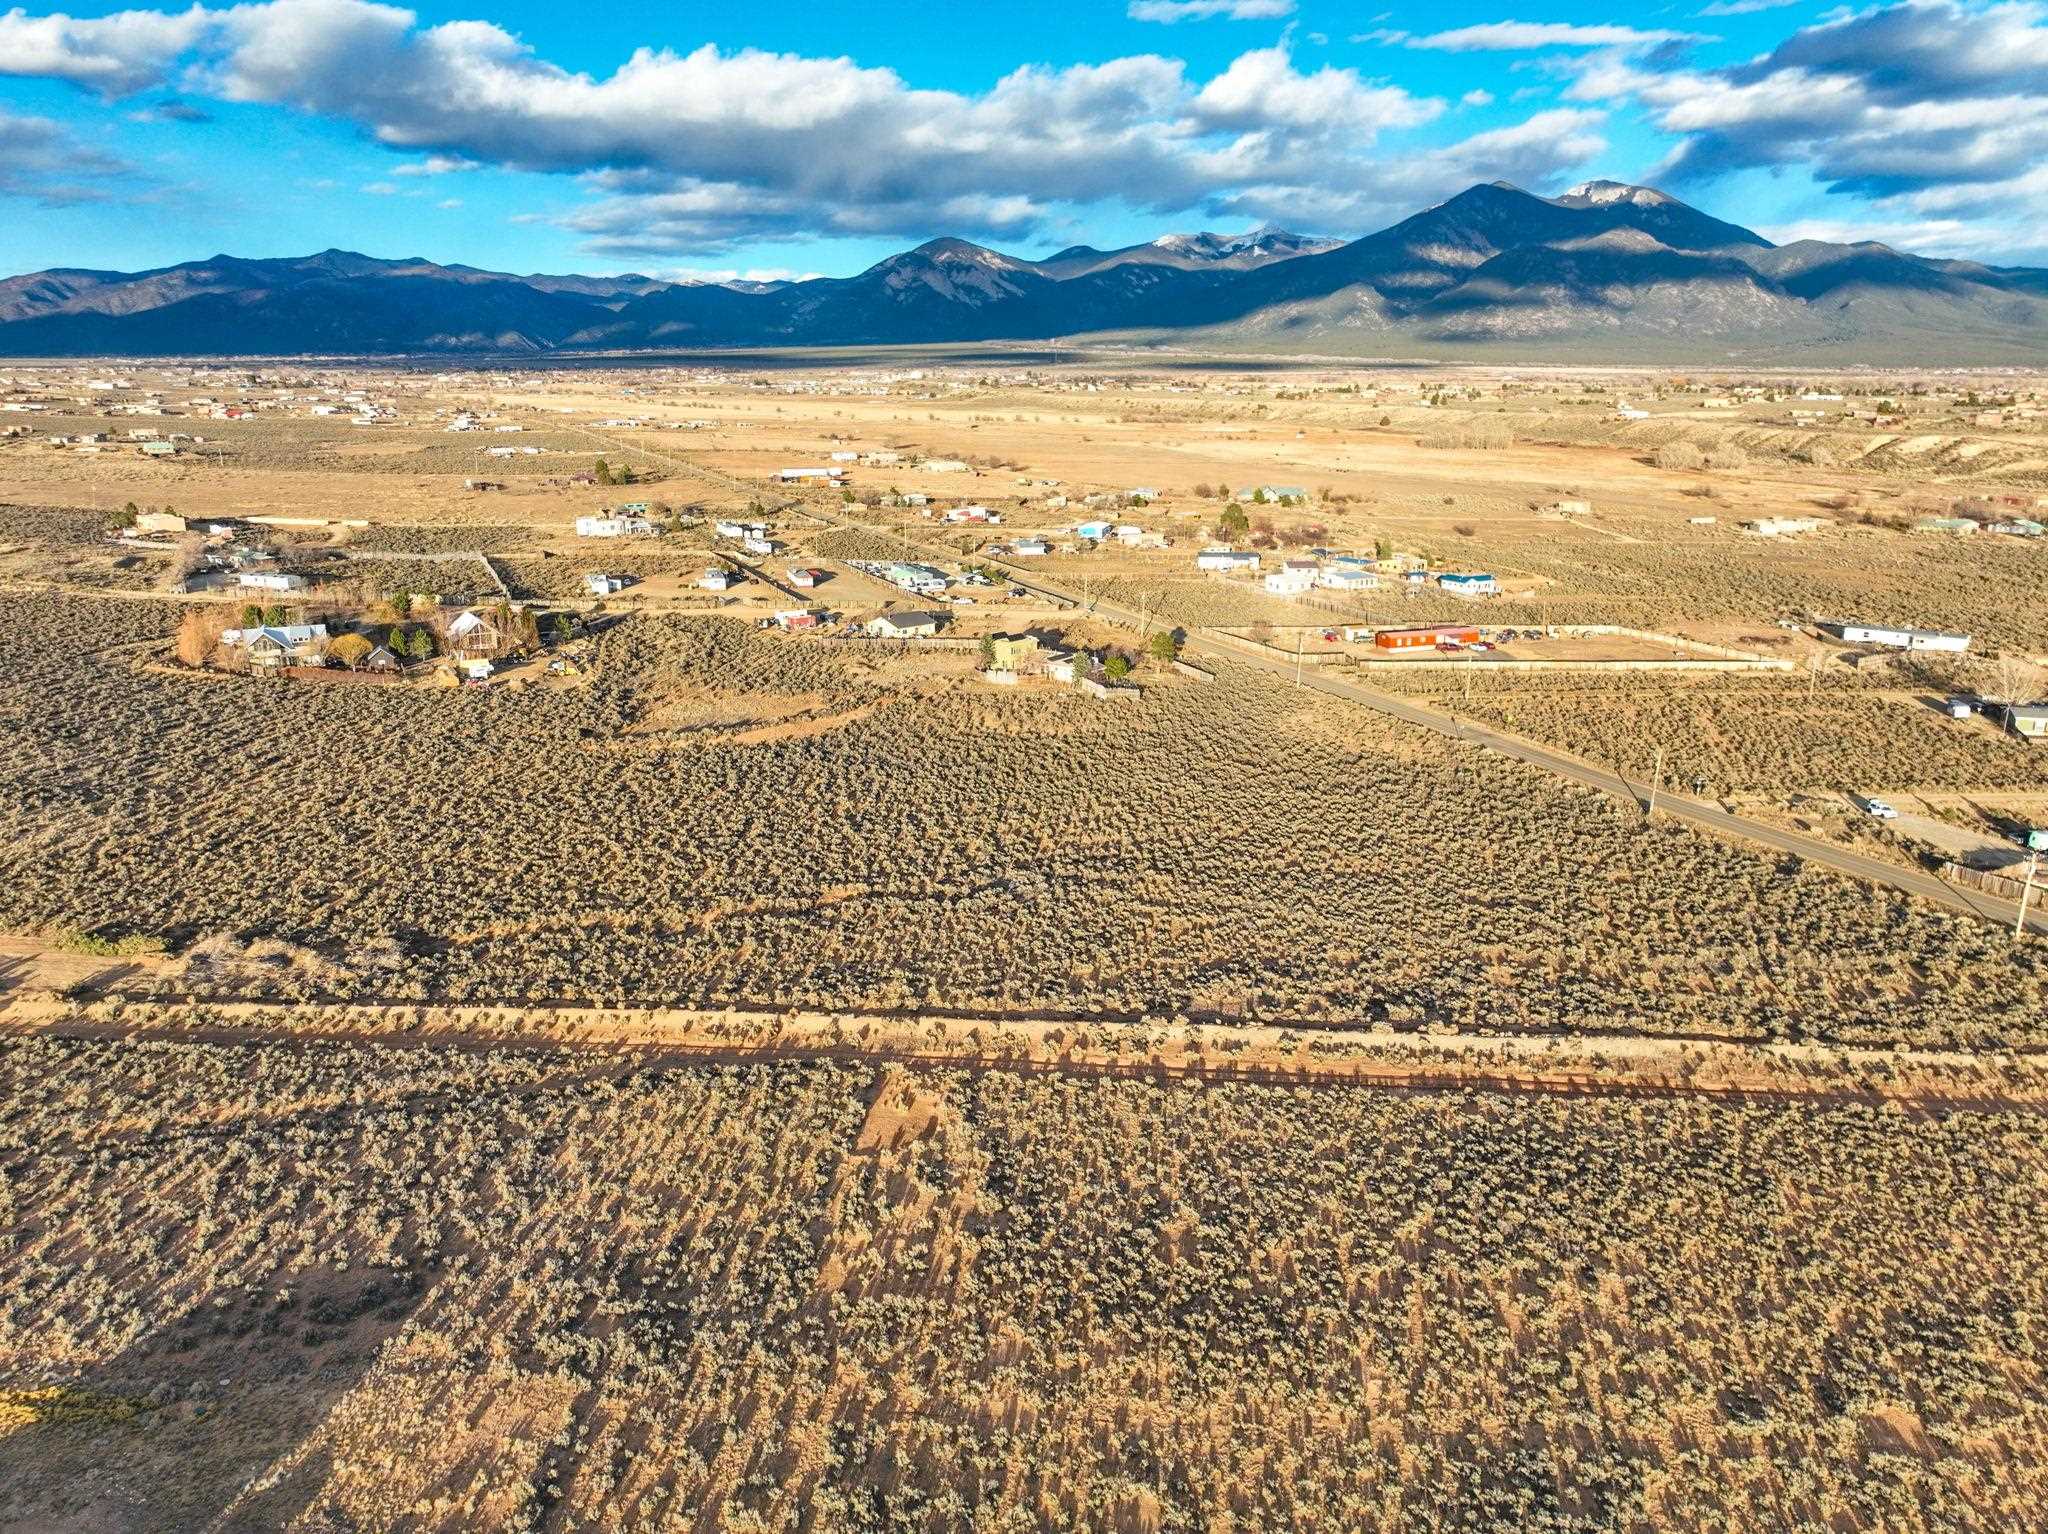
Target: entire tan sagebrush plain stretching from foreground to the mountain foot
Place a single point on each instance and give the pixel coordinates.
(714, 1078)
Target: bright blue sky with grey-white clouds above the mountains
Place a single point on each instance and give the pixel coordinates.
(818, 138)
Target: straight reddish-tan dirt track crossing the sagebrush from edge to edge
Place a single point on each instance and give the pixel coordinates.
(1197, 1056)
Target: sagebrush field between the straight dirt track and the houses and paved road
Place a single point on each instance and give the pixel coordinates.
(1215, 851)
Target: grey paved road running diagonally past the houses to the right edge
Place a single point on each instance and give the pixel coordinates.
(1713, 818)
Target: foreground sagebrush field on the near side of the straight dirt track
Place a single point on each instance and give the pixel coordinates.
(359, 1287)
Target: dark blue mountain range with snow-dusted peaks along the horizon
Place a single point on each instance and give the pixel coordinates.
(1605, 271)
